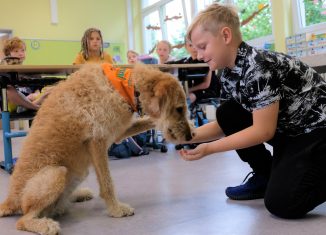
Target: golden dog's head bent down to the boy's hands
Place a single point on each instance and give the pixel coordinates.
(162, 97)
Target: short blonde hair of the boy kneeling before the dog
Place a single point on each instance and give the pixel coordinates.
(214, 17)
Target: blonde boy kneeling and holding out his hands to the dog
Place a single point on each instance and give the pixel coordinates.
(269, 97)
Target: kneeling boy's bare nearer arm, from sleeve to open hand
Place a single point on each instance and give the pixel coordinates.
(262, 130)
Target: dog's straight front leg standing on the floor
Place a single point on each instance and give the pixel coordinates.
(98, 150)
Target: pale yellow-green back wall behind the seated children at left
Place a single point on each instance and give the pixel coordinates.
(59, 43)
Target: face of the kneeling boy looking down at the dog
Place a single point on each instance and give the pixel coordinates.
(210, 48)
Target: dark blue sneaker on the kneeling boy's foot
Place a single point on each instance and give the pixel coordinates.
(254, 188)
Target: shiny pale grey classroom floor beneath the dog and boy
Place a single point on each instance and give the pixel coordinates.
(173, 197)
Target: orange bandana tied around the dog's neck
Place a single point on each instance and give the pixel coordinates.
(121, 80)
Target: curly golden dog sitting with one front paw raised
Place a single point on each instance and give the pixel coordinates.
(73, 129)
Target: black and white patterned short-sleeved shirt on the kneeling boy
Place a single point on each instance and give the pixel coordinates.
(260, 78)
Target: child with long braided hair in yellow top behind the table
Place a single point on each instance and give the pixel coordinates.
(92, 49)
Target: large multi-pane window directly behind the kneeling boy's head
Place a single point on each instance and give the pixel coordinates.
(169, 19)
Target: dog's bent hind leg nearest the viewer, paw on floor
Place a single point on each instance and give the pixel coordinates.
(39, 194)
